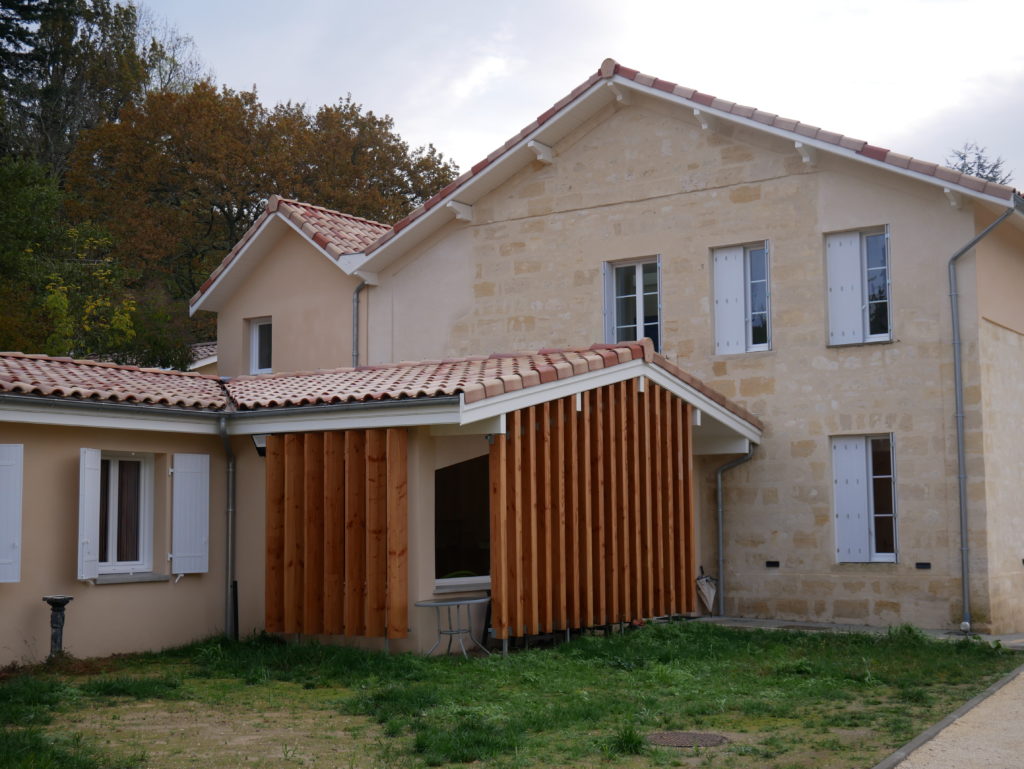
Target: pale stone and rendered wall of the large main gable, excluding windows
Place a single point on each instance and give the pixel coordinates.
(647, 182)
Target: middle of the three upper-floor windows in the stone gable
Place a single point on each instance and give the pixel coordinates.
(743, 319)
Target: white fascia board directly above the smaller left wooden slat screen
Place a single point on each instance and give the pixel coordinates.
(315, 419)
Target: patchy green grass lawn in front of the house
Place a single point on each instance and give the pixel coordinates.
(783, 699)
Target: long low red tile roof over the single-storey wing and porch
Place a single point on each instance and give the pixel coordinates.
(478, 378)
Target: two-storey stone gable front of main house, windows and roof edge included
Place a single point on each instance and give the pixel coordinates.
(801, 273)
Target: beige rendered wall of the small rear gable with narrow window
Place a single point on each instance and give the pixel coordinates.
(310, 301)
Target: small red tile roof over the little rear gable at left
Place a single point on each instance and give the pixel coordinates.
(334, 232)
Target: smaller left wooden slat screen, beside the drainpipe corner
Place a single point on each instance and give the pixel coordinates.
(336, 533)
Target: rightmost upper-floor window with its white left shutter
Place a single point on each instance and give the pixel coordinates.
(859, 287)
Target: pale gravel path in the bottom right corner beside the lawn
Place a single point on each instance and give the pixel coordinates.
(990, 736)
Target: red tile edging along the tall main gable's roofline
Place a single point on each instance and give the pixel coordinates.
(611, 68)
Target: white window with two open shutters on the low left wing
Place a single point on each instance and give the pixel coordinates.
(117, 516)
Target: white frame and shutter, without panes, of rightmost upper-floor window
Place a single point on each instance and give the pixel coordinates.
(848, 289)
